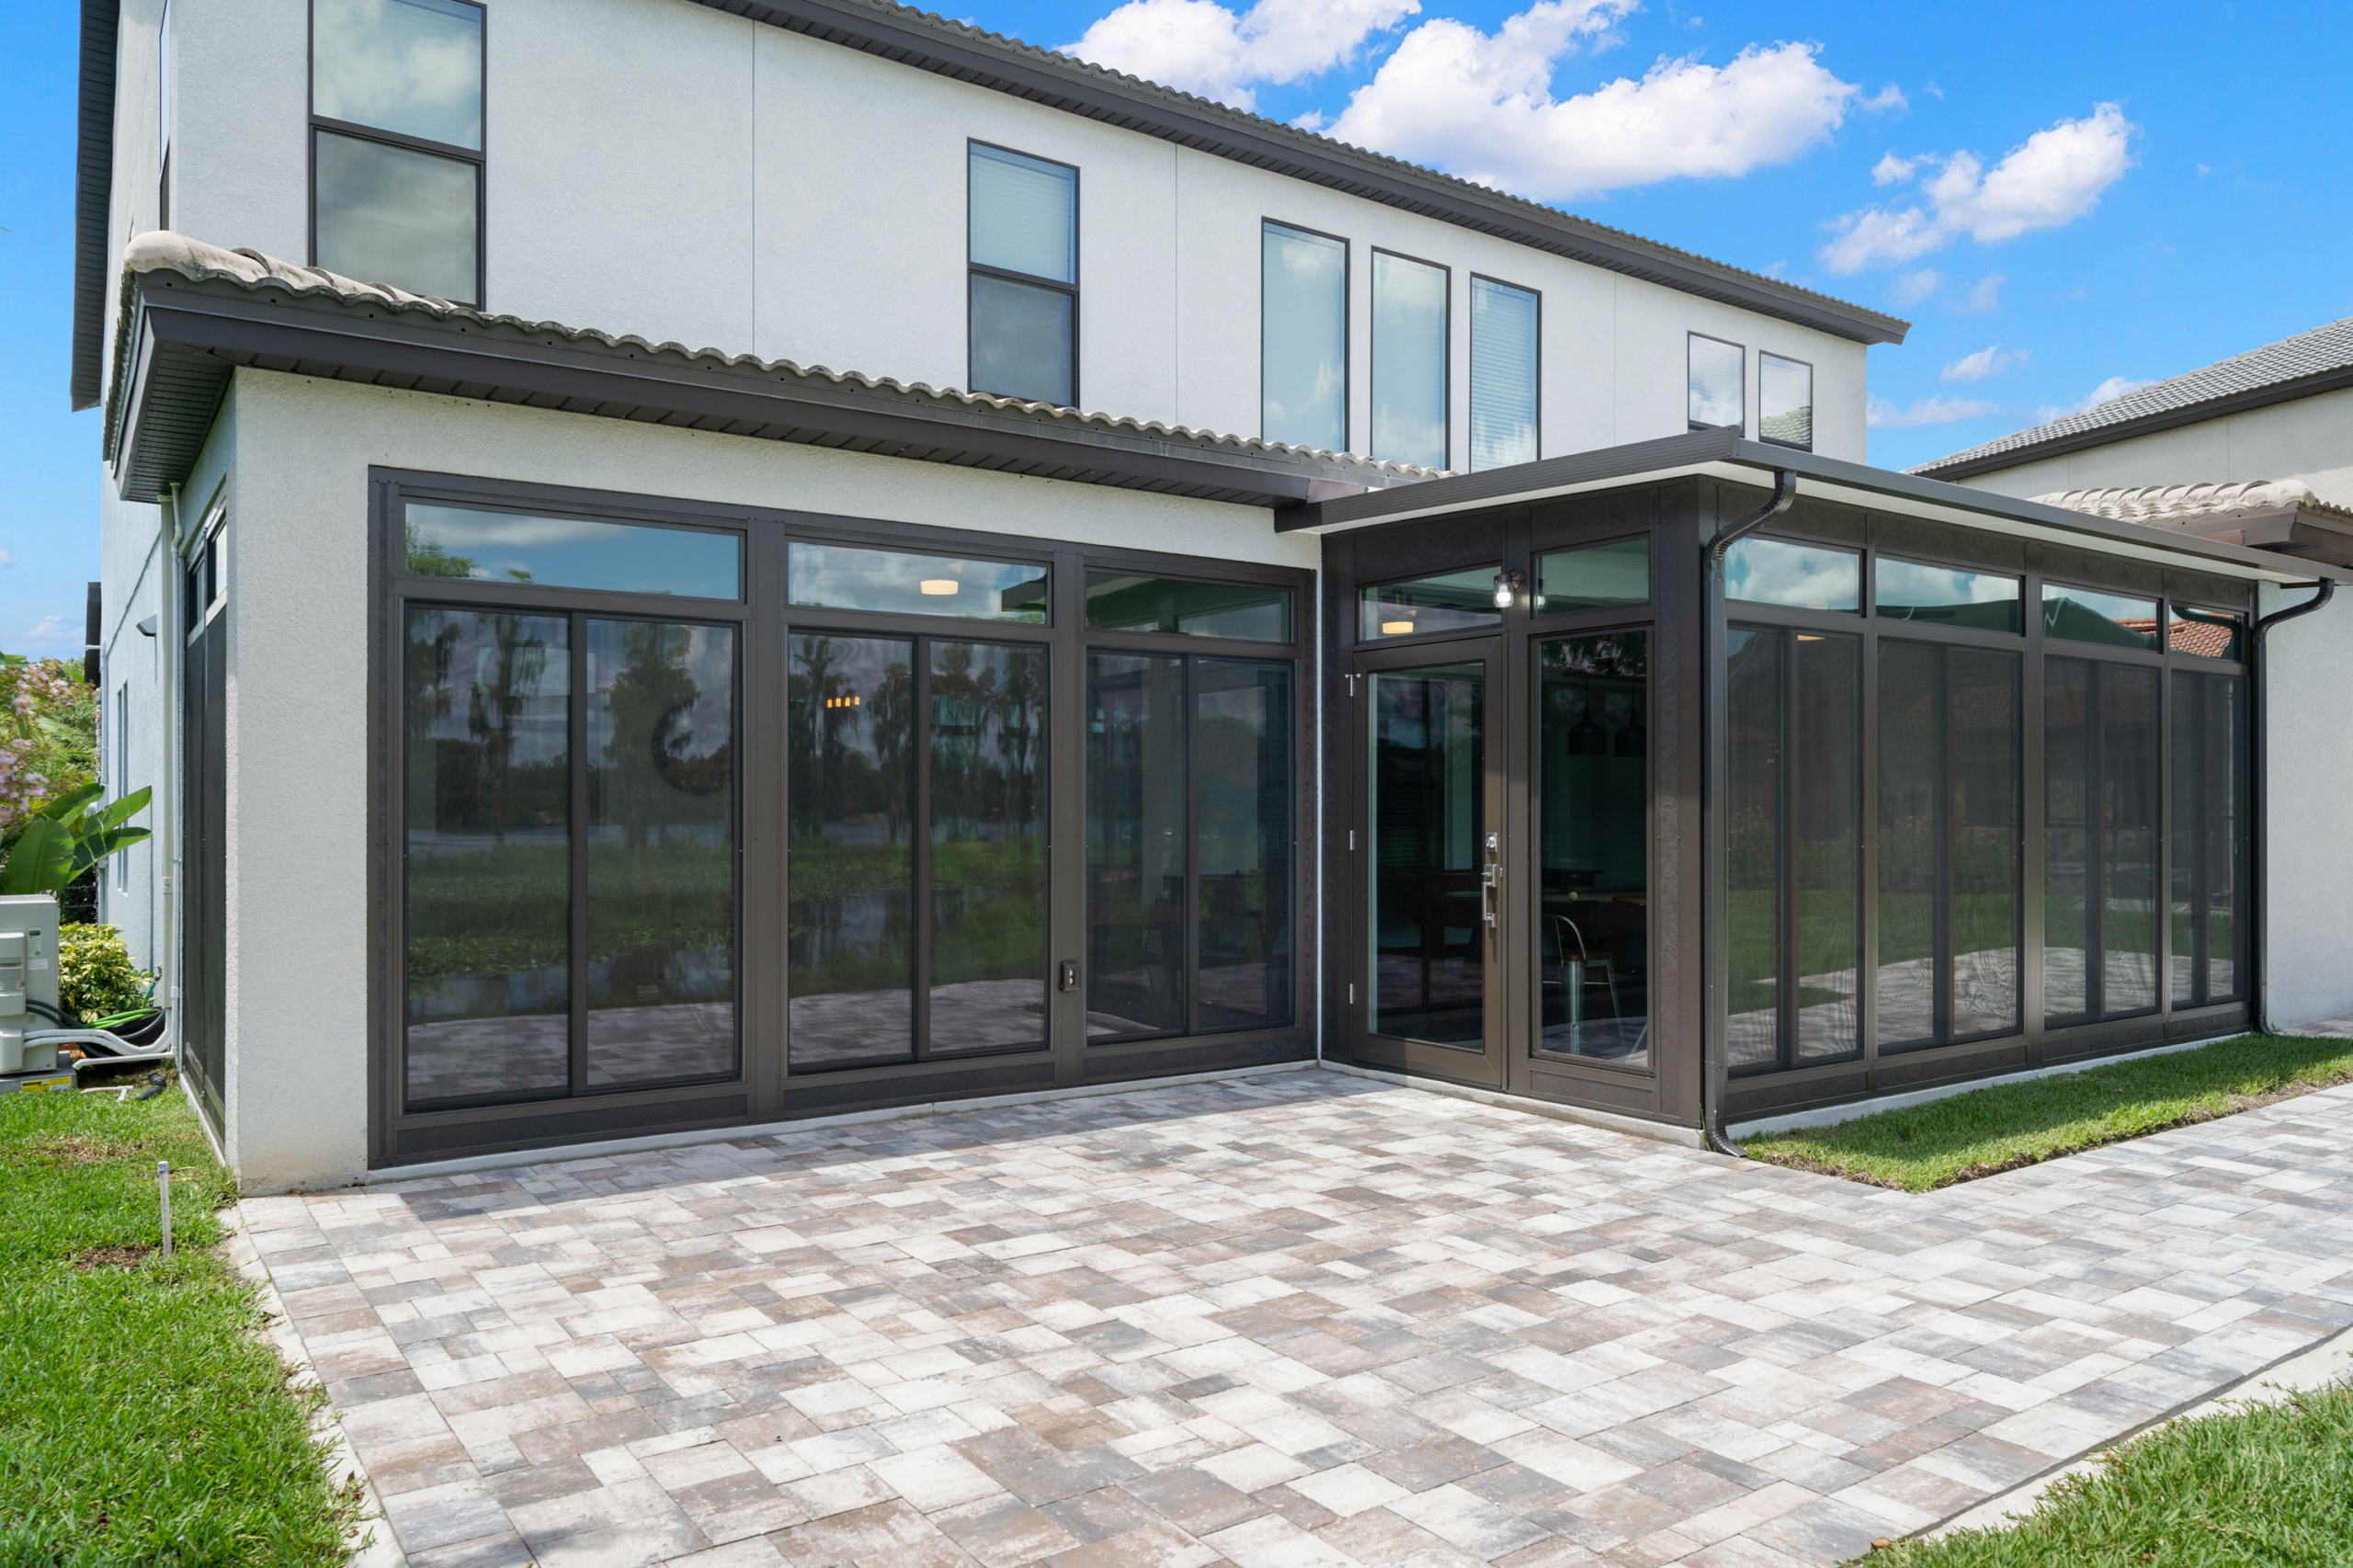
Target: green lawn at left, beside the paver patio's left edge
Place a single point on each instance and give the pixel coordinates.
(140, 1416)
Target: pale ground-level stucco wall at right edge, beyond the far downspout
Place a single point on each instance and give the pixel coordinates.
(2309, 835)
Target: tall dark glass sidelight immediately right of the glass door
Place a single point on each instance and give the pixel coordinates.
(1594, 811)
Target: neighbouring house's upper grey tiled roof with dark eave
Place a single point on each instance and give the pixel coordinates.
(2277, 373)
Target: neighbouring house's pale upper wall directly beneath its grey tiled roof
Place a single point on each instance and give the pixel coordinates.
(2309, 439)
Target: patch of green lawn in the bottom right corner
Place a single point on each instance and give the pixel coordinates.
(2251, 1487)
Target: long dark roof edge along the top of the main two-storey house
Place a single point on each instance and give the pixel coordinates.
(1060, 81)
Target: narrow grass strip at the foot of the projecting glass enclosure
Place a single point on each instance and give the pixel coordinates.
(2022, 1124)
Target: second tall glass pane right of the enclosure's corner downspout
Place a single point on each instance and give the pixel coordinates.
(1827, 811)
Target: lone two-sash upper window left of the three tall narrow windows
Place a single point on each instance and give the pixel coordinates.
(1025, 277)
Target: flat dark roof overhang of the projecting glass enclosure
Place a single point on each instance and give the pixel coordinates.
(1747, 463)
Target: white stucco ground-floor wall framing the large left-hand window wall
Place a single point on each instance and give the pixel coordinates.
(298, 675)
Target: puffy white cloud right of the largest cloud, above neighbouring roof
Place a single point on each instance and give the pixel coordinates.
(2051, 180)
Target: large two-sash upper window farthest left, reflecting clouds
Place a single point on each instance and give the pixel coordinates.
(396, 145)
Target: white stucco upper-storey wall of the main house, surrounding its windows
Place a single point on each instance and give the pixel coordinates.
(672, 171)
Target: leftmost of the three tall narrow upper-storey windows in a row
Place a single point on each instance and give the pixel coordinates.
(1305, 338)
